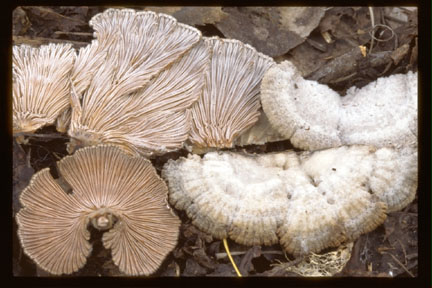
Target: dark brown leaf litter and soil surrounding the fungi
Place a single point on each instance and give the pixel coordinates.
(330, 54)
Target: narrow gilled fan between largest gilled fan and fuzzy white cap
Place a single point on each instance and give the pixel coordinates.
(230, 101)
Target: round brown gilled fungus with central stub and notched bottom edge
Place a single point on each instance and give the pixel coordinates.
(112, 191)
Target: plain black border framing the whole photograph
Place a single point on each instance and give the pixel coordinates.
(424, 278)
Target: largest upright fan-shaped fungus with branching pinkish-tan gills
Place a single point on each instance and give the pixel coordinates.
(133, 85)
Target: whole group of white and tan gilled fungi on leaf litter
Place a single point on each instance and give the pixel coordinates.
(148, 85)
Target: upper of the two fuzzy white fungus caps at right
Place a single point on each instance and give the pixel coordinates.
(313, 116)
